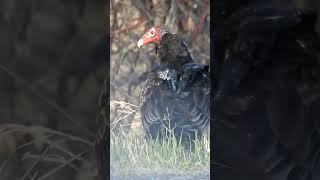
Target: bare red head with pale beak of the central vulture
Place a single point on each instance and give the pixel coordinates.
(153, 35)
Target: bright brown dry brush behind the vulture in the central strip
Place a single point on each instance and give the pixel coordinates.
(129, 19)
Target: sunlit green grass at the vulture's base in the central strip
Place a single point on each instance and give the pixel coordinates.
(131, 153)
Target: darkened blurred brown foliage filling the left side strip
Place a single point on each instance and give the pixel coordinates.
(52, 63)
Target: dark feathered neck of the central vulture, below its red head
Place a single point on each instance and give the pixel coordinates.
(172, 52)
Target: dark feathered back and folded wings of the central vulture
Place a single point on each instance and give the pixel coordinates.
(165, 104)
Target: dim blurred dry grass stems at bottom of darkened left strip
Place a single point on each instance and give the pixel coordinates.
(47, 147)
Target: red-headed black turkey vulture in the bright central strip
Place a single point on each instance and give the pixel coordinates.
(175, 95)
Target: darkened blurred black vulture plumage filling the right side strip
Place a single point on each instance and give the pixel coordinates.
(266, 94)
